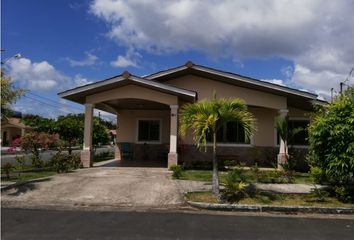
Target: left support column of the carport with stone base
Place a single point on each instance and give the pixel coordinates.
(86, 153)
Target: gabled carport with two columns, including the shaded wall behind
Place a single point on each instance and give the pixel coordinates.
(147, 119)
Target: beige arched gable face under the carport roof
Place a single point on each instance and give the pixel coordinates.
(132, 91)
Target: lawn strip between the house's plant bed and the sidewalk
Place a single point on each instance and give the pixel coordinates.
(206, 176)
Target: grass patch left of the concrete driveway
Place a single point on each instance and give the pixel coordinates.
(29, 174)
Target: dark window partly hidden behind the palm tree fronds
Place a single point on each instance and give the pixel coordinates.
(232, 132)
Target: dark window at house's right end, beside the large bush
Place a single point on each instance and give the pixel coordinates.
(299, 138)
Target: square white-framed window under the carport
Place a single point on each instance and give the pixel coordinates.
(148, 130)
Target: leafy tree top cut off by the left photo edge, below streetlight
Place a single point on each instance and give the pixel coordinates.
(9, 94)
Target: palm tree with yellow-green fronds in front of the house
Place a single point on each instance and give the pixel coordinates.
(205, 118)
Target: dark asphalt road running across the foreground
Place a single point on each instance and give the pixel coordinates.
(51, 224)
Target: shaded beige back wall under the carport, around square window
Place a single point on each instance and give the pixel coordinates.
(127, 124)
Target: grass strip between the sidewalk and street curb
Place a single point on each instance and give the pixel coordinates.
(267, 198)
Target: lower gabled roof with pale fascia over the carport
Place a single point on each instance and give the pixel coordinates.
(79, 94)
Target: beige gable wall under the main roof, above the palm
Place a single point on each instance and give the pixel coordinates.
(206, 87)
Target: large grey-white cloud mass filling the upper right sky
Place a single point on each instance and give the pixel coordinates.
(315, 34)
